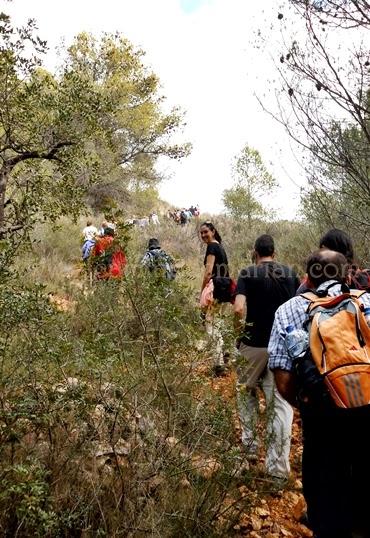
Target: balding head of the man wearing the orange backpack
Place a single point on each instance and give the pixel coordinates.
(324, 265)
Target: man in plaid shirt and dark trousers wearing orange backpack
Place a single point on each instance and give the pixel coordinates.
(335, 466)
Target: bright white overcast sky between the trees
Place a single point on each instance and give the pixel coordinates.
(205, 56)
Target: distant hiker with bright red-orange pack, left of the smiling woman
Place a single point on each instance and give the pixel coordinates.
(109, 259)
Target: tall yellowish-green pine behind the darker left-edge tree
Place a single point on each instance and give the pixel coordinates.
(139, 130)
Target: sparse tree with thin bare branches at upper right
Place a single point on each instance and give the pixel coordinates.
(324, 99)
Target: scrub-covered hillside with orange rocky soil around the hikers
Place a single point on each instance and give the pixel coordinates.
(112, 422)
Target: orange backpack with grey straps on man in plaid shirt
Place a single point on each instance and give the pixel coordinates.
(340, 346)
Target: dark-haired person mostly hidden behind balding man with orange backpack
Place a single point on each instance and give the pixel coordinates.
(339, 241)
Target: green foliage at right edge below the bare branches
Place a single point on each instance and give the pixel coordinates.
(338, 195)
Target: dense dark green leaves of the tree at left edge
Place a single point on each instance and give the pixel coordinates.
(44, 125)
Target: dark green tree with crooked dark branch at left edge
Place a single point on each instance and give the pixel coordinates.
(32, 125)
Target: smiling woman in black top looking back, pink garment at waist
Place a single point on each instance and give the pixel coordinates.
(216, 265)
